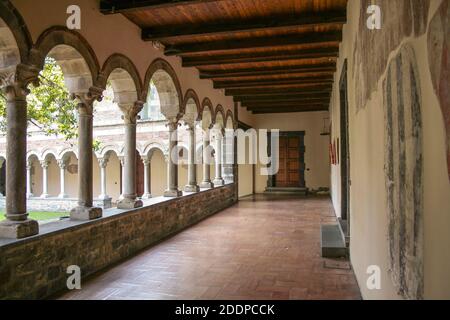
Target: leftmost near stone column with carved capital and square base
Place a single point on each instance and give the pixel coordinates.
(14, 86)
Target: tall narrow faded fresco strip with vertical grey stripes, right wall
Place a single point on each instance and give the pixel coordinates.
(403, 169)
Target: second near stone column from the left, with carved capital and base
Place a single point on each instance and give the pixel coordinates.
(85, 106)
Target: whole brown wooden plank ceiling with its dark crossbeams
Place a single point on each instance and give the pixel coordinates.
(271, 55)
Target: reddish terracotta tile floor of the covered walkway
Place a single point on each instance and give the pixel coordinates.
(261, 248)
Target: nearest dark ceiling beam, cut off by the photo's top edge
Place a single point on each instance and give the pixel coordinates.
(114, 6)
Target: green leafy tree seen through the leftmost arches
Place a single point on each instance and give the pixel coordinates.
(50, 107)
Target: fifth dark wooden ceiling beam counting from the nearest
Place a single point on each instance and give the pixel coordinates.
(216, 74)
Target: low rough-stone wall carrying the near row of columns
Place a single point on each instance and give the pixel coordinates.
(35, 267)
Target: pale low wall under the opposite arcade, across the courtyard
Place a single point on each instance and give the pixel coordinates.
(57, 204)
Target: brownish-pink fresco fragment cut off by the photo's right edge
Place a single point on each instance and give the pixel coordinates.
(439, 61)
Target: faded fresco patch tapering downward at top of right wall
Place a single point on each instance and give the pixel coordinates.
(399, 19)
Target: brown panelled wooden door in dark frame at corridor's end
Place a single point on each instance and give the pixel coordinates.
(289, 173)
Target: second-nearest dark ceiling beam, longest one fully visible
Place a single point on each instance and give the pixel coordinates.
(180, 33)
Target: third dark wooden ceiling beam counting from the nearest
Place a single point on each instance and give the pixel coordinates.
(260, 42)
